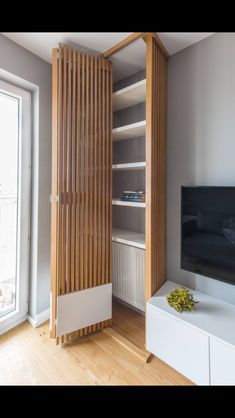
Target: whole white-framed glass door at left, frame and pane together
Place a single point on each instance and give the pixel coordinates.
(15, 185)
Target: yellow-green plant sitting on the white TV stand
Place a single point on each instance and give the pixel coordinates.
(181, 300)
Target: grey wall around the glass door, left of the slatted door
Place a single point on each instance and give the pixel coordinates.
(21, 63)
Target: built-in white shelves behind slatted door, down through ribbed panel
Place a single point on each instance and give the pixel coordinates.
(128, 229)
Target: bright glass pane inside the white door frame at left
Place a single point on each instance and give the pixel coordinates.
(9, 156)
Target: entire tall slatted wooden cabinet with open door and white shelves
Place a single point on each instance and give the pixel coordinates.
(137, 260)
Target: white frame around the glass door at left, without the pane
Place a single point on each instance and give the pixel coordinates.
(19, 314)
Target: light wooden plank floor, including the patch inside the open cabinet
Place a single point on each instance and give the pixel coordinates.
(29, 357)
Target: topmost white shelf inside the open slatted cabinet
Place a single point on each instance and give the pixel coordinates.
(129, 96)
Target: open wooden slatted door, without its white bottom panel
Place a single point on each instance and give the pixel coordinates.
(81, 176)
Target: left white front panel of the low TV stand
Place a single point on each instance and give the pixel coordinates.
(179, 345)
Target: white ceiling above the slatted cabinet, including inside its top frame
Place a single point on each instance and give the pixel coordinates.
(128, 61)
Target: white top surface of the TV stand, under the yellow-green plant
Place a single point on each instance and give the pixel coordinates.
(211, 315)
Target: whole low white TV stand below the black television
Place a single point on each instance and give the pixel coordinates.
(199, 344)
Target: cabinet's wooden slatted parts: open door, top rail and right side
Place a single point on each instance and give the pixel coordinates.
(82, 114)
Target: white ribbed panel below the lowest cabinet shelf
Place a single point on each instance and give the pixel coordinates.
(129, 274)
